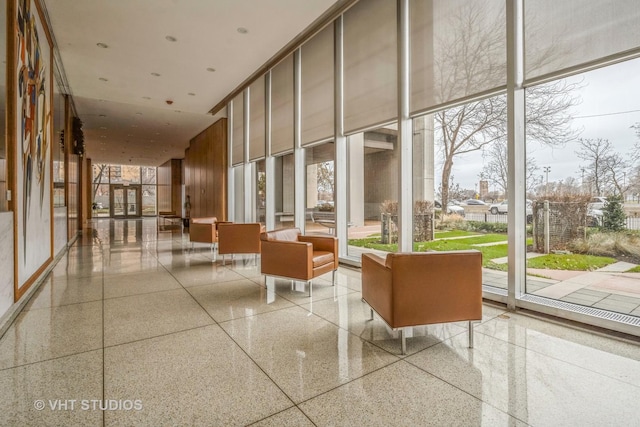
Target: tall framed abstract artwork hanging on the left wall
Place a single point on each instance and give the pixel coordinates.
(34, 121)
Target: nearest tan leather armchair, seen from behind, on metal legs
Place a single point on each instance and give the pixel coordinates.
(411, 289)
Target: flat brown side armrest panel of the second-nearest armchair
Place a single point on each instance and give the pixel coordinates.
(287, 259)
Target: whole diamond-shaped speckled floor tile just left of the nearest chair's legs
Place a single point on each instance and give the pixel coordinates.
(304, 354)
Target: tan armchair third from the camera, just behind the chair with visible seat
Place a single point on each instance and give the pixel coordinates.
(234, 238)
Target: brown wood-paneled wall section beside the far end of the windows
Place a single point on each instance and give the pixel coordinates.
(206, 166)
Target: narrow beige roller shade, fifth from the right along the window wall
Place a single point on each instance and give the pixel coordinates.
(282, 106)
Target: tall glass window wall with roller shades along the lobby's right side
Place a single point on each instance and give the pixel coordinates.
(480, 180)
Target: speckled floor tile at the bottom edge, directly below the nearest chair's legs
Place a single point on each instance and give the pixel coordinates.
(402, 395)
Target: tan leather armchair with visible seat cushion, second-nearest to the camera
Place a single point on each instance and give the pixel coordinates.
(287, 253)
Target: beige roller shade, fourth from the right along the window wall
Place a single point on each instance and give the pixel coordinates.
(317, 63)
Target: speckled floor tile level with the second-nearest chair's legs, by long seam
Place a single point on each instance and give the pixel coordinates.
(138, 283)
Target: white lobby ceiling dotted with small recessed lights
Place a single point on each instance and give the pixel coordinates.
(127, 118)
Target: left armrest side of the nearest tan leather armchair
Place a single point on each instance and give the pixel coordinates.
(377, 286)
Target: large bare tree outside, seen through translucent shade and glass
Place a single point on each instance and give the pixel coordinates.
(469, 57)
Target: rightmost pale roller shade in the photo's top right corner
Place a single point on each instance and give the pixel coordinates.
(559, 35)
